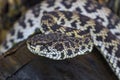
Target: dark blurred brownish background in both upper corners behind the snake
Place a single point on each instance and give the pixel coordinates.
(11, 10)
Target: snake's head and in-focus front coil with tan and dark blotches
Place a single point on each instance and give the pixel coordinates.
(60, 42)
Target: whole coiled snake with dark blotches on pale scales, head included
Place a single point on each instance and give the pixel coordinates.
(34, 19)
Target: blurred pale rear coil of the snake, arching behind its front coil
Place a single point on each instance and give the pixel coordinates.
(30, 22)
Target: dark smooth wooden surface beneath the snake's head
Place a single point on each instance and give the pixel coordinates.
(20, 64)
